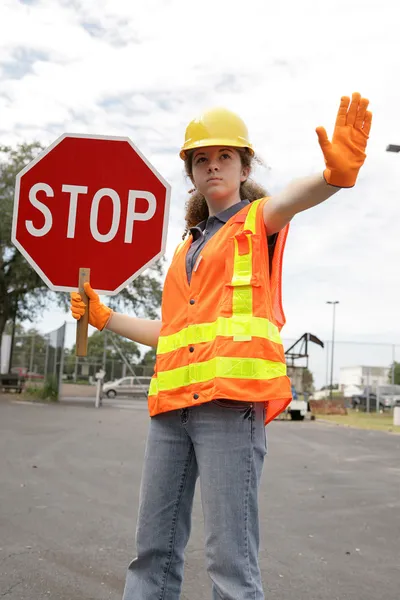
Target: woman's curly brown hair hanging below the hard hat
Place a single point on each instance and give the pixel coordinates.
(196, 206)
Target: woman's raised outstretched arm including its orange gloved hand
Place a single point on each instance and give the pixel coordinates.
(344, 157)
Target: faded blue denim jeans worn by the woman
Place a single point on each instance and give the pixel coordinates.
(223, 443)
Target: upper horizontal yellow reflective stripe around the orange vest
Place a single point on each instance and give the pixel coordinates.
(223, 326)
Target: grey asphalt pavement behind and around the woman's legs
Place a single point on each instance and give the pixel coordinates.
(69, 484)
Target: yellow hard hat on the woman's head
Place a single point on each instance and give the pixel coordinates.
(216, 127)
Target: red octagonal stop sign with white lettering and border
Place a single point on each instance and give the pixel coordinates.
(90, 201)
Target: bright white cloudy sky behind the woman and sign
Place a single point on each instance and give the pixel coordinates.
(145, 69)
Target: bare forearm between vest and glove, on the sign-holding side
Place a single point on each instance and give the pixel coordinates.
(142, 331)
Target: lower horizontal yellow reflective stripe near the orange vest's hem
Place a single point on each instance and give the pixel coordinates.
(231, 368)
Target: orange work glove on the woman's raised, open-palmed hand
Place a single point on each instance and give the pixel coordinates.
(345, 155)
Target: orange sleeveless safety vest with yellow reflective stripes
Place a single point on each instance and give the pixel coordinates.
(220, 335)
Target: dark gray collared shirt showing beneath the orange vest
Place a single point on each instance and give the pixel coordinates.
(206, 229)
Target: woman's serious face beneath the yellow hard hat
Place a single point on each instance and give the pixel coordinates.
(218, 172)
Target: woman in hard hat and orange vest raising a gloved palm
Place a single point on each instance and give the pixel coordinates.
(220, 374)
